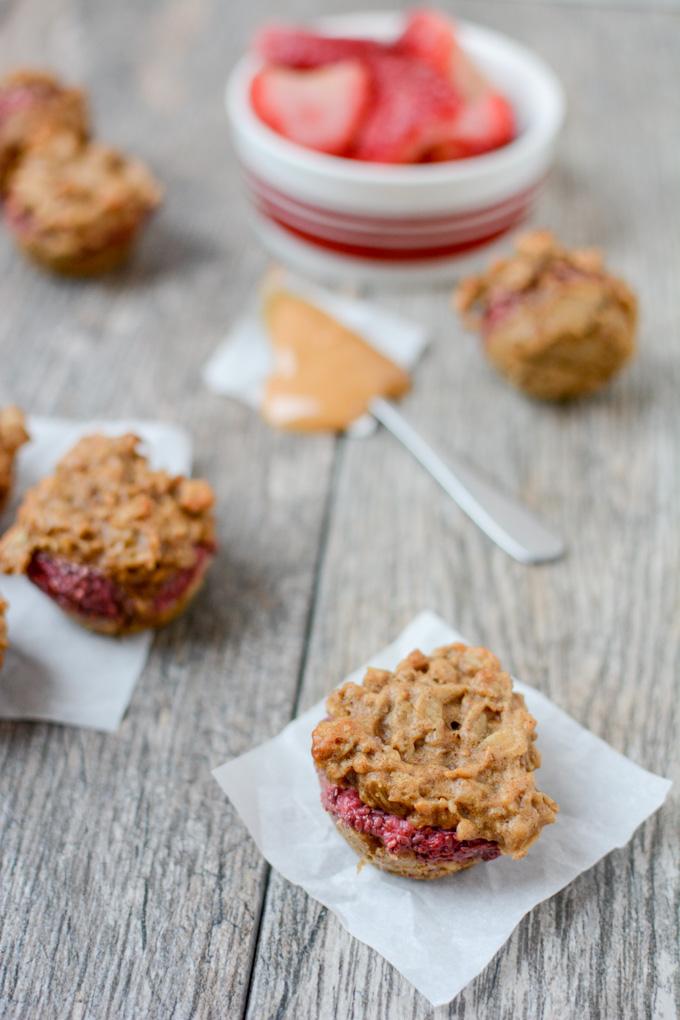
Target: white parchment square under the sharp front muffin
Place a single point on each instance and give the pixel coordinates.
(441, 935)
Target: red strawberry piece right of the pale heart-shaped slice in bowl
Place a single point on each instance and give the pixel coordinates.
(412, 107)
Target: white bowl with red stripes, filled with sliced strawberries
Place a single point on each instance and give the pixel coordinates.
(332, 212)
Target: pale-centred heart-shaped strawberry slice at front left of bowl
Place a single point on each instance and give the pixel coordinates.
(321, 110)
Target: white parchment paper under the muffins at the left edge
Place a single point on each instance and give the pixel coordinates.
(55, 670)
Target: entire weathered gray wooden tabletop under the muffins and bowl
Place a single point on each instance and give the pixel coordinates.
(129, 888)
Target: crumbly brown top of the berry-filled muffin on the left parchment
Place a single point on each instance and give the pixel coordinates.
(104, 507)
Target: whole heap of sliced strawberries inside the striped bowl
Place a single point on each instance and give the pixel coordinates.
(417, 97)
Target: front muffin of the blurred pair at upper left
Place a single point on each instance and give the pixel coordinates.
(78, 210)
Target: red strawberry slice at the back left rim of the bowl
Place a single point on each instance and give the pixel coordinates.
(298, 48)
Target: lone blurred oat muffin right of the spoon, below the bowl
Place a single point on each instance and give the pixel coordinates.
(554, 321)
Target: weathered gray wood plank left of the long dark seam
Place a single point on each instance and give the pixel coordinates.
(128, 888)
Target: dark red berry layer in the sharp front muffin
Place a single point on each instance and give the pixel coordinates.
(398, 836)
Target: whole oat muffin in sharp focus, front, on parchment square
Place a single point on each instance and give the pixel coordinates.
(430, 770)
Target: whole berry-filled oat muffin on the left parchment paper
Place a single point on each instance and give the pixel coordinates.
(118, 546)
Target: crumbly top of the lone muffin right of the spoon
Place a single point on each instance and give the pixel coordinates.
(541, 264)
